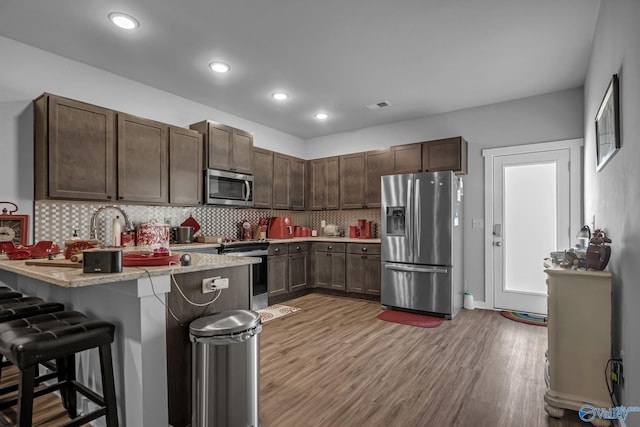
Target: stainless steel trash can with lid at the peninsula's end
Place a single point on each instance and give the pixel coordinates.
(226, 369)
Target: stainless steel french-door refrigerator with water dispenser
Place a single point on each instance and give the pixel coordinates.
(422, 246)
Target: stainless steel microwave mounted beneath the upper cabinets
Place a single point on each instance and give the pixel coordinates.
(228, 188)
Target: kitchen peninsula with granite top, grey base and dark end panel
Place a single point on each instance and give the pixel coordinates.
(136, 301)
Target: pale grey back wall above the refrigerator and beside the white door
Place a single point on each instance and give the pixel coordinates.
(543, 118)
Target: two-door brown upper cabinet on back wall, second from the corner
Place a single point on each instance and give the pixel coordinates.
(360, 178)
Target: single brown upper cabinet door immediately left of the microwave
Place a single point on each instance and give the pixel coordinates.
(185, 166)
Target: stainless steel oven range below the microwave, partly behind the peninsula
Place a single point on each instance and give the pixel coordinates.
(258, 249)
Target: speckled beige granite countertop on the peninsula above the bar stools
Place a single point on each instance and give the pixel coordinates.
(69, 277)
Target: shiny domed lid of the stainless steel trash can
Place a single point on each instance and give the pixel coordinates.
(224, 323)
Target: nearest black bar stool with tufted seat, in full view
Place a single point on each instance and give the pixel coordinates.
(32, 340)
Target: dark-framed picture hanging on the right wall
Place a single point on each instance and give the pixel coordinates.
(608, 125)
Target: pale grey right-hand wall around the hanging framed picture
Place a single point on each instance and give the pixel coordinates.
(612, 194)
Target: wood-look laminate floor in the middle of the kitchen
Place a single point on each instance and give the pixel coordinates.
(335, 364)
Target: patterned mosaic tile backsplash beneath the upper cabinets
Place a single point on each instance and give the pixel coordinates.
(57, 220)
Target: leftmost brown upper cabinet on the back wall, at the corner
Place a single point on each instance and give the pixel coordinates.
(324, 183)
